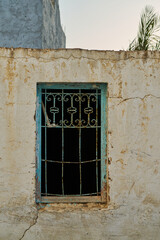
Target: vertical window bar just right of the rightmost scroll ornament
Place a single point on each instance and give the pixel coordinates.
(97, 140)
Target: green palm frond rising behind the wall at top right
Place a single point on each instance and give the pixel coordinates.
(149, 26)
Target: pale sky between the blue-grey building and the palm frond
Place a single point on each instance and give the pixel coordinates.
(102, 24)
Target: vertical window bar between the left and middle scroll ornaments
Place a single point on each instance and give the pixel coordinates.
(62, 143)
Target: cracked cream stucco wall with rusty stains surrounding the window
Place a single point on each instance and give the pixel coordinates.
(133, 209)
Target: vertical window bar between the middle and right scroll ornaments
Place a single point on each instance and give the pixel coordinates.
(80, 167)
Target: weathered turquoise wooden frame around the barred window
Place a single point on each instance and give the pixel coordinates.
(81, 199)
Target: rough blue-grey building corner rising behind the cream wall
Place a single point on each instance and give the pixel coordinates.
(22, 24)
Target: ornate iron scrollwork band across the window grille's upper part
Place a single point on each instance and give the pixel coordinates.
(82, 105)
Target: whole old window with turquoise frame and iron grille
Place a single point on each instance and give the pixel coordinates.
(71, 142)
